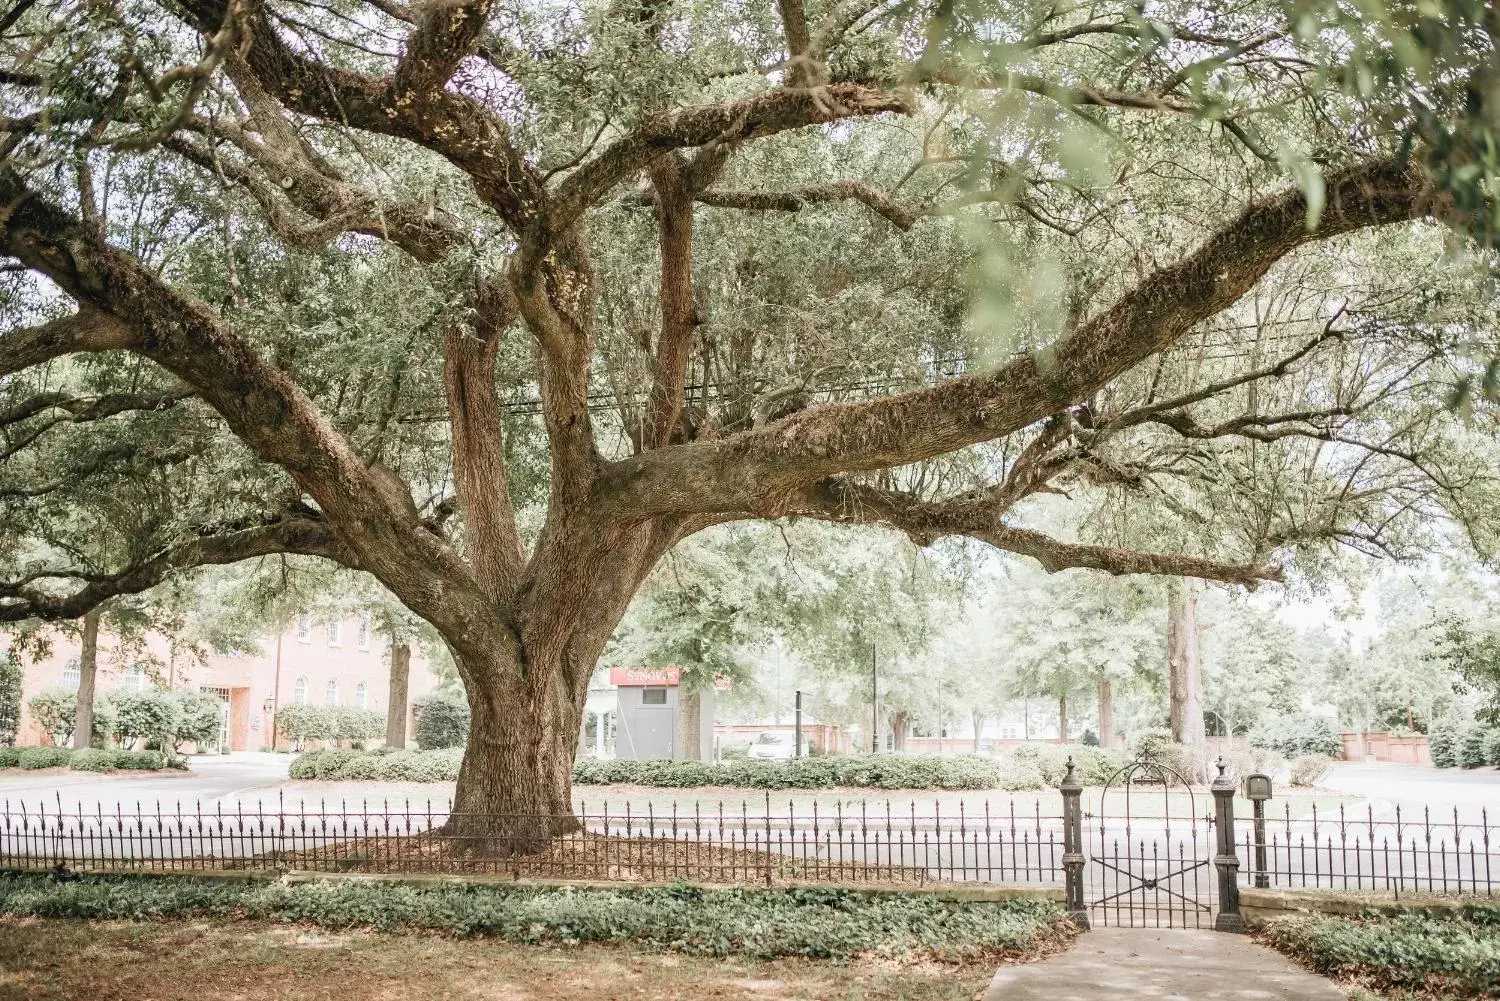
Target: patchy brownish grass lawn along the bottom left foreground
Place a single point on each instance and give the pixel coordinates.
(194, 960)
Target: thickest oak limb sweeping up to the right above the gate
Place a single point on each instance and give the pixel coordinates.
(758, 470)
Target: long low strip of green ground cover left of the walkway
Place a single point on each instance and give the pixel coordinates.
(818, 924)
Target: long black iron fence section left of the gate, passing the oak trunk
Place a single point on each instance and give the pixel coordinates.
(760, 841)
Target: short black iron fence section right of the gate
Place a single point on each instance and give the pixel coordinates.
(1394, 853)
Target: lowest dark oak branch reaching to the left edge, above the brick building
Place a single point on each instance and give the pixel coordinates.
(293, 534)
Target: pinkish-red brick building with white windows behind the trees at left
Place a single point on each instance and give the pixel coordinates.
(319, 663)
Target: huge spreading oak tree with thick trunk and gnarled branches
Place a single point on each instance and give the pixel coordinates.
(719, 253)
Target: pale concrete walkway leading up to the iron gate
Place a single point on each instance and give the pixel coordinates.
(1162, 966)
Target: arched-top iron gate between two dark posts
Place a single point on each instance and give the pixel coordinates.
(1150, 844)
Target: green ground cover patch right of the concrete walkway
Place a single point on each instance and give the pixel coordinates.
(1433, 957)
